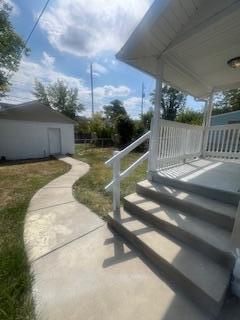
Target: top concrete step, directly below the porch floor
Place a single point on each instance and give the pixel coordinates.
(213, 211)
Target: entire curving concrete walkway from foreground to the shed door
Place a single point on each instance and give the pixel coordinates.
(84, 272)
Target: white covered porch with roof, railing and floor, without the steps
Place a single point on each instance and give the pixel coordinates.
(194, 47)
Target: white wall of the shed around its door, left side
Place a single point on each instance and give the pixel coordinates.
(28, 139)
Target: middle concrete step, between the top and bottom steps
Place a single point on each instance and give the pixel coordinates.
(199, 234)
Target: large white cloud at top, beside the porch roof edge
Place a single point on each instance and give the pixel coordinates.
(87, 29)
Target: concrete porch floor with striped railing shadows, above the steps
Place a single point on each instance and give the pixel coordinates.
(222, 175)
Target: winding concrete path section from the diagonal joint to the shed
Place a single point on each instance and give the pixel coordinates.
(54, 217)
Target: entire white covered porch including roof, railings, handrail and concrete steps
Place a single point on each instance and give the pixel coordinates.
(189, 203)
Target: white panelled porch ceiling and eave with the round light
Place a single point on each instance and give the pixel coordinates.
(195, 39)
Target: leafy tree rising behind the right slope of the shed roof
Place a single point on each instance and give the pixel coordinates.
(59, 97)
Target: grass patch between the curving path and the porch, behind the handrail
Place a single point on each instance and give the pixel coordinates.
(89, 190)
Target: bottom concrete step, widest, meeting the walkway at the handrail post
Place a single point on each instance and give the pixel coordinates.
(199, 277)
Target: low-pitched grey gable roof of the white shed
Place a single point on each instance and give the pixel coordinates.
(32, 111)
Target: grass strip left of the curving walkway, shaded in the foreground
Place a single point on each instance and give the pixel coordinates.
(18, 182)
